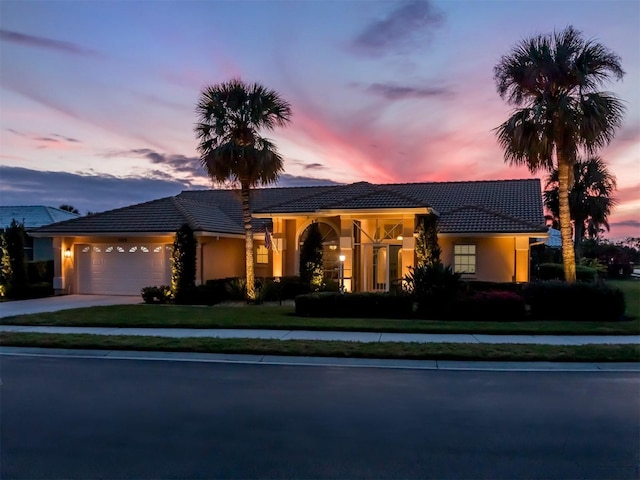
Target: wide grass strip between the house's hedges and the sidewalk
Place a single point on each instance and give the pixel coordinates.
(283, 318)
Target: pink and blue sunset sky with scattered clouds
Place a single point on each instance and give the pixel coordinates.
(97, 98)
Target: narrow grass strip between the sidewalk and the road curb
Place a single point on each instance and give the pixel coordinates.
(383, 350)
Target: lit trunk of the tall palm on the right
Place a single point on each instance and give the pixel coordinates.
(568, 253)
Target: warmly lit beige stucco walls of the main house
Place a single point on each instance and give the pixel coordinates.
(378, 249)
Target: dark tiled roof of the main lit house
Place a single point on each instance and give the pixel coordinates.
(498, 206)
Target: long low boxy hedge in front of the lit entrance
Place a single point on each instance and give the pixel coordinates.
(354, 305)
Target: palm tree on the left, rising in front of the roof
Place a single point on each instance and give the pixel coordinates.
(230, 117)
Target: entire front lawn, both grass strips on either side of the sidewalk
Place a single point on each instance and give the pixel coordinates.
(282, 317)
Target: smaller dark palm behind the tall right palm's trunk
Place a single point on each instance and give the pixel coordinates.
(590, 200)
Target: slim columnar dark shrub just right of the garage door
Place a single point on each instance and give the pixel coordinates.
(183, 262)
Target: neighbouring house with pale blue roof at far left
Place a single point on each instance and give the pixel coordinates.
(33, 217)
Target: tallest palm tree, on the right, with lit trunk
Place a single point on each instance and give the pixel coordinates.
(553, 82)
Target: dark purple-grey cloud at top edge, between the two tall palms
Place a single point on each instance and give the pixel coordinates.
(409, 25)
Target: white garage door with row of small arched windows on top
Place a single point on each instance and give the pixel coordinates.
(122, 269)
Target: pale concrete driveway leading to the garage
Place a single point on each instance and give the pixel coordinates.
(63, 302)
